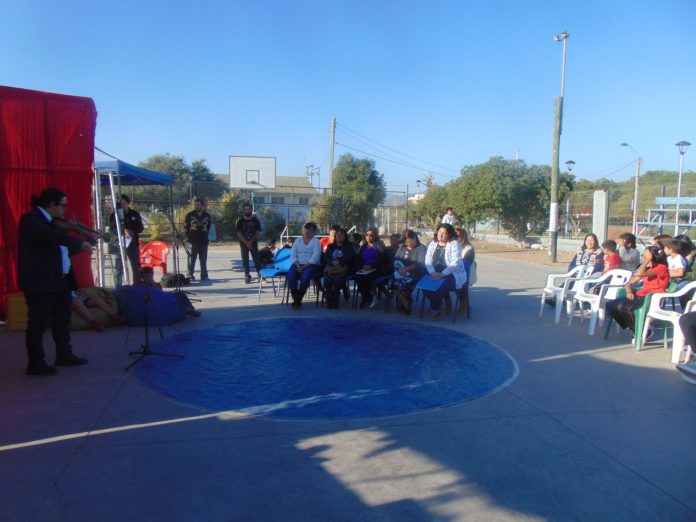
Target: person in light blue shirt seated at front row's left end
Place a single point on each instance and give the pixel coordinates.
(306, 263)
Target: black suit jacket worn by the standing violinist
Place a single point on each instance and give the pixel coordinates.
(39, 256)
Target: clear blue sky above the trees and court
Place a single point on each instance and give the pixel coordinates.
(450, 83)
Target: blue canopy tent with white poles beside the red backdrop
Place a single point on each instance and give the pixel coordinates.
(111, 171)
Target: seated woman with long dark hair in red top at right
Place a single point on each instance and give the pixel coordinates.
(654, 276)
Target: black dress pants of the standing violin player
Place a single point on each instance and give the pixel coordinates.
(44, 308)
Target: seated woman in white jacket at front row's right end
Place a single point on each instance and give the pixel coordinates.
(443, 261)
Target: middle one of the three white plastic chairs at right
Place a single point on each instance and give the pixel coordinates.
(609, 286)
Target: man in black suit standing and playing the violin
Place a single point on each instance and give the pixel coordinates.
(44, 272)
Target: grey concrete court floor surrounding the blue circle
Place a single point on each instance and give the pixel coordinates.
(589, 430)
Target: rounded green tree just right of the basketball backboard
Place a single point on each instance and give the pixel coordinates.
(358, 189)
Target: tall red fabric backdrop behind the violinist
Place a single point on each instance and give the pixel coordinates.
(46, 140)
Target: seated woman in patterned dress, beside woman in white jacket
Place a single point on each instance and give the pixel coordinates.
(409, 267)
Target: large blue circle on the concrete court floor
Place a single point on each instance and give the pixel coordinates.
(318, 369)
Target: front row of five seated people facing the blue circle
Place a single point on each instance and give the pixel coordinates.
(377, 269)
